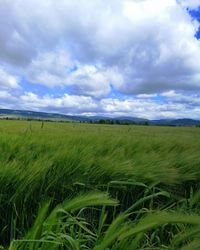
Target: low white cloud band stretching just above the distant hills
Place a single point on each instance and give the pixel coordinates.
(172, 105)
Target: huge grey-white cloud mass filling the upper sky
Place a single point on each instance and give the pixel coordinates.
(150, 43)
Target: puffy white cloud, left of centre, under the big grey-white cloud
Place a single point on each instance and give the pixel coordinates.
(58, 69)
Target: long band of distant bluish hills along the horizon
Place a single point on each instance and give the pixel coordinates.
(26, 114)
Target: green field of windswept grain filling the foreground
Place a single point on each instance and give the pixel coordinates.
(82, 186)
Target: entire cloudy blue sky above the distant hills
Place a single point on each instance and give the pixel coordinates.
(137, 58)
